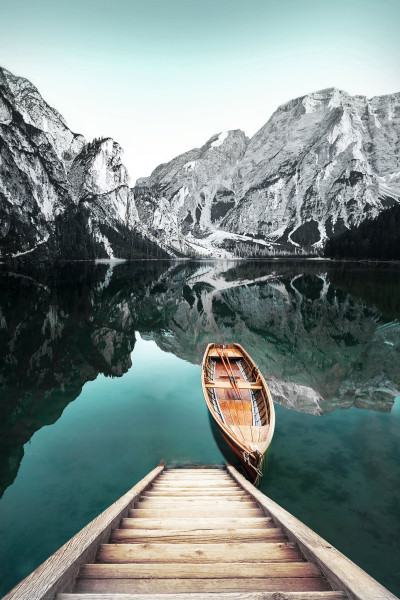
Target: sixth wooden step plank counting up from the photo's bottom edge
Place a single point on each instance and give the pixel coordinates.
(196, 523)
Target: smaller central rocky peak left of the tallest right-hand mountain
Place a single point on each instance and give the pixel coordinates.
(183, 201)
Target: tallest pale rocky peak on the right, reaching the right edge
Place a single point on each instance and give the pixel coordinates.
(321, 164)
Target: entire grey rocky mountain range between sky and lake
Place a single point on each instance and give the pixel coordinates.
(322, 164)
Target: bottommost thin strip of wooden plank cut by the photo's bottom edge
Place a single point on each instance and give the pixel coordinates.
(329, 595)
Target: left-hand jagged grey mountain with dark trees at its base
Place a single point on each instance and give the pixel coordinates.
(59, 195)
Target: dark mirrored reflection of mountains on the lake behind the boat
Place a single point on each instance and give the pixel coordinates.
(325, 336)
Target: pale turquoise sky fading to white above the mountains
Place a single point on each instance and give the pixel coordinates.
(163, 76)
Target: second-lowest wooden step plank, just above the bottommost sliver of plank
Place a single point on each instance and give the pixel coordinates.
(200, 585)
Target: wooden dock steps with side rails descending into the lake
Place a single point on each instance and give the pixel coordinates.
(197, 534)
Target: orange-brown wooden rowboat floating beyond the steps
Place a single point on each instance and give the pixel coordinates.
(240, 403)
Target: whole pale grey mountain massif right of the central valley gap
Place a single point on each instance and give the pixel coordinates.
(322, 163)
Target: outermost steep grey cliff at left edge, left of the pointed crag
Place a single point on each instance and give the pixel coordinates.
(34, 143)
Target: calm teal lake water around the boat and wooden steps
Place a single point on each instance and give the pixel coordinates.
(100, 380)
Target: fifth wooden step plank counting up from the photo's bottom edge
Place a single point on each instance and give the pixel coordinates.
(199, 536)
